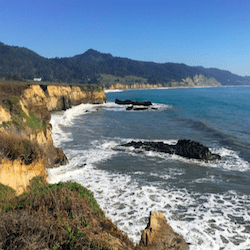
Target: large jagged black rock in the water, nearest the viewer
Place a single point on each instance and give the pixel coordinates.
(185, 148)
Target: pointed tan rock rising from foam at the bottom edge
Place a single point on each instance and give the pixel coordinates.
(158, 235)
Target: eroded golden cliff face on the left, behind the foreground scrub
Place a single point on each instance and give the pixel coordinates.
(26, 145)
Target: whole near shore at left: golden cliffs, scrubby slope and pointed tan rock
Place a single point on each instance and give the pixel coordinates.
(37, 215)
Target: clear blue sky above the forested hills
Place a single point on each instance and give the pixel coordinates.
(209, 33)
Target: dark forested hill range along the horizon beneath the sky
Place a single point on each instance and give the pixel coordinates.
(100, 68)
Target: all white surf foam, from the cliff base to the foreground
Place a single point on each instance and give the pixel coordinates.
(207, 221)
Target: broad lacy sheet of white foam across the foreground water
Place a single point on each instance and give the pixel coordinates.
(197, 217)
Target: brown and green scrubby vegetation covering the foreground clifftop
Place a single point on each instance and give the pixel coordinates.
(55, 216)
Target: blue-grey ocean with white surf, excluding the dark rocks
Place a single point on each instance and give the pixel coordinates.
(208, 203)
